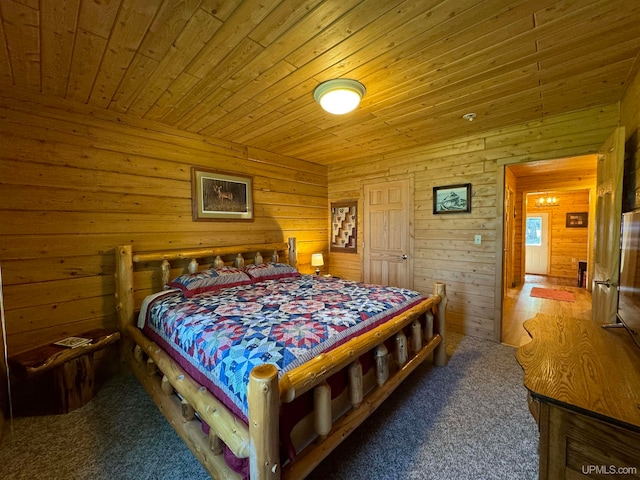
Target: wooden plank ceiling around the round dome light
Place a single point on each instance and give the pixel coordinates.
(245, 71)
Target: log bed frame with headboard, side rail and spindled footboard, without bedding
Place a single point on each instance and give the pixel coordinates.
(162, 377)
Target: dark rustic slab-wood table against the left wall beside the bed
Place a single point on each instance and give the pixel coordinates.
(54, 379)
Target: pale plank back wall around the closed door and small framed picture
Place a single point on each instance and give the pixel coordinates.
(444, 248)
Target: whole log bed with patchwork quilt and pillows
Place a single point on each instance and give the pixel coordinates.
(291, 397)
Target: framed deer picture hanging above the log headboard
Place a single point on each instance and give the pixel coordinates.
(221, 196)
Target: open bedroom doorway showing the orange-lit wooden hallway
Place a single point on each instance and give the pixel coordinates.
(546, 253)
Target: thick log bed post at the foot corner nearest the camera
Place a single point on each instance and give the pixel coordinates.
(263, 397)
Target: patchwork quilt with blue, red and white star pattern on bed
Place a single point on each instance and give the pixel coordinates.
(219, 337)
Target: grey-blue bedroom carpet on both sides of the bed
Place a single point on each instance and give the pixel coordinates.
(468, 420)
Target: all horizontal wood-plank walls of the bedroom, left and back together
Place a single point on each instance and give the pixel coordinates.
(78, 181)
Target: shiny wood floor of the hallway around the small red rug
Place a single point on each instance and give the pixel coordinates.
(519, 306)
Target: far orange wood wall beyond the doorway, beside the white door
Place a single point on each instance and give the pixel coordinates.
(567, 246)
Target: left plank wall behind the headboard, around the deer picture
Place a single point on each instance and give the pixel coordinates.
(75, 182)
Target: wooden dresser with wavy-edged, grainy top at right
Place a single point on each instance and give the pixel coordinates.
(584, 391)
